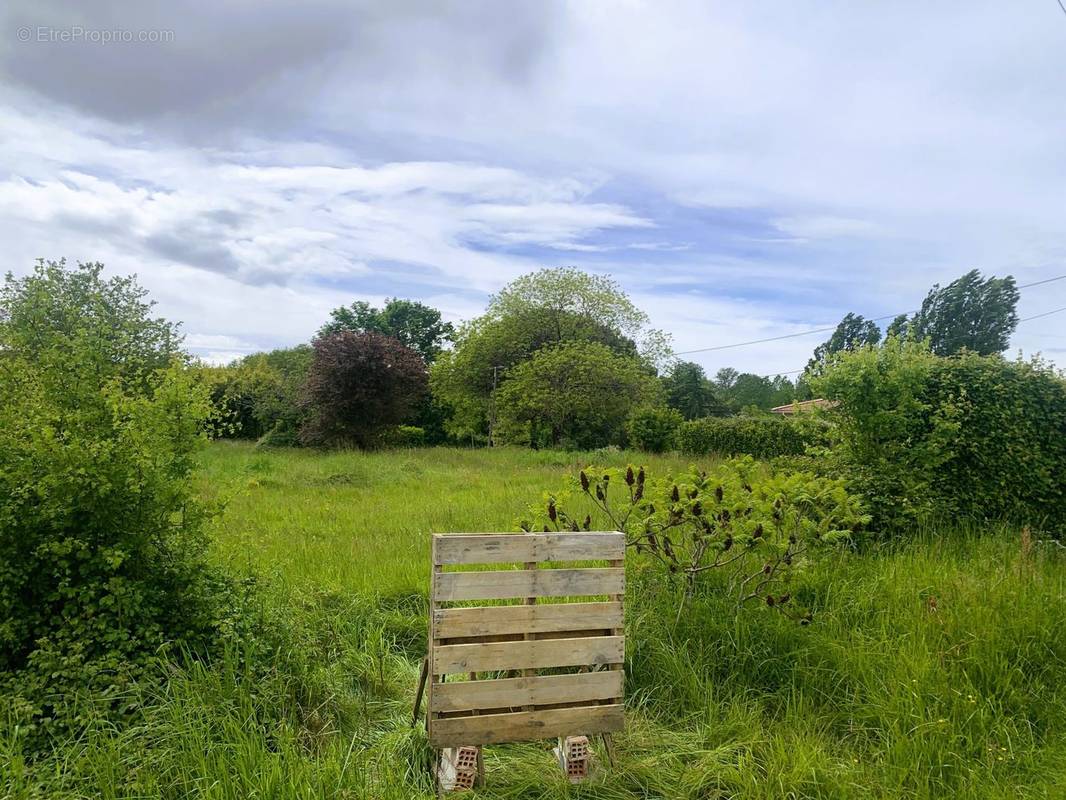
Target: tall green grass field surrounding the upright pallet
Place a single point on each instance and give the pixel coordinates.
(933, 669)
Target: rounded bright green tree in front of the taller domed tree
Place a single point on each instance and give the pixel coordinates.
(575, 395)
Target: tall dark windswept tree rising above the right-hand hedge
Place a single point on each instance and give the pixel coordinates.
(970, 313)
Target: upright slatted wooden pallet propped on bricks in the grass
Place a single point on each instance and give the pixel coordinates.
(486, 664)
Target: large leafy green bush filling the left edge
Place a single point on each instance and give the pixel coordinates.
(102, 537)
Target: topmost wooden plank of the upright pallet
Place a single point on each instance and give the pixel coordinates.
(493, 549)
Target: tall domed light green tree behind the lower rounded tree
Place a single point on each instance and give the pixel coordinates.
(538, 311)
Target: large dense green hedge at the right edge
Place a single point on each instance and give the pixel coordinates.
(972, 436)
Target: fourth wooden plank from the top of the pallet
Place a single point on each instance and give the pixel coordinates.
(534, 655)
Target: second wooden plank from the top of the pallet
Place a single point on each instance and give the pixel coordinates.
(465, 586)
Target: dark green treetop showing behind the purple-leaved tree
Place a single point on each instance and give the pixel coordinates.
(415, 325)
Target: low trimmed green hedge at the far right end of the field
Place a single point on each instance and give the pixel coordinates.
(763, 438)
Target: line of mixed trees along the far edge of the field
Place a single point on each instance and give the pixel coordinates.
(559, 359)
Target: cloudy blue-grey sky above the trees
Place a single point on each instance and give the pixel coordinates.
(742, 170)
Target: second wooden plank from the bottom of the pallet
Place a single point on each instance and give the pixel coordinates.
(513, 693)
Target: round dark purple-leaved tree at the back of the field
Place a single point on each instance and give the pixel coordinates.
(360, 387)
